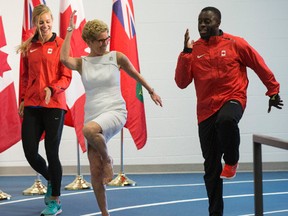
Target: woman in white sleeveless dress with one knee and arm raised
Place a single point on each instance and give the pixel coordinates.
(105, 110)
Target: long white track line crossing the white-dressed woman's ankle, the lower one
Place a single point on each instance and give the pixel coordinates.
(180, 201)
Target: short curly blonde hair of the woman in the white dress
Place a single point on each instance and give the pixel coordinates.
(93, 29)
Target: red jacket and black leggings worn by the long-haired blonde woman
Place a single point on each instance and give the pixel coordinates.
(42, 68)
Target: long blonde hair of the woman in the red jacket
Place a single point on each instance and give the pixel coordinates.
(38, 11)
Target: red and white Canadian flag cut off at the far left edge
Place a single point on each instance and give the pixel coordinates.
(10, 132)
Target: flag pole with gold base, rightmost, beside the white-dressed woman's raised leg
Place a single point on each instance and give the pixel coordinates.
(122, 179)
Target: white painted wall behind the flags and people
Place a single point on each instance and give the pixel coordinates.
(160, 27)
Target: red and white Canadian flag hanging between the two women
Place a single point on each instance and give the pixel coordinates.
(75, 94)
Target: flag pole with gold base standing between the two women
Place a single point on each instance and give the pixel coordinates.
(79, 182)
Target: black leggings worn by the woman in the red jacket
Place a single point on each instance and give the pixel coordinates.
(35, 122)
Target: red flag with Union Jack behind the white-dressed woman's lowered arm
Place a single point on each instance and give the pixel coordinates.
(123, 39)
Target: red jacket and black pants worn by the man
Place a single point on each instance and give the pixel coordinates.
(219, 70)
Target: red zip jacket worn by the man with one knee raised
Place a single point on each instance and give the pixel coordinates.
(219, 70)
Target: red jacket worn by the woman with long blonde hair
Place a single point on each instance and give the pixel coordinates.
(42, 68)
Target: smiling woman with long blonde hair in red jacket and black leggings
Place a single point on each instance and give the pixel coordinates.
(43, 103)
